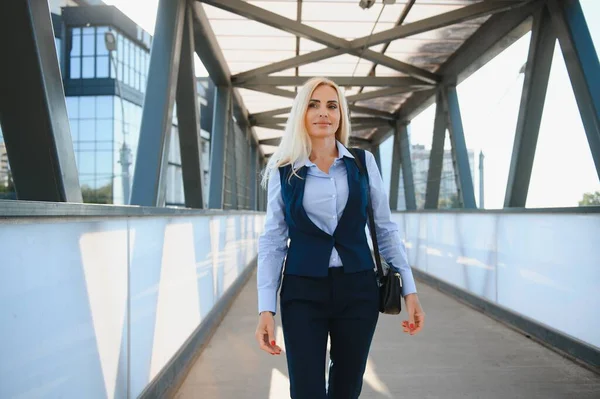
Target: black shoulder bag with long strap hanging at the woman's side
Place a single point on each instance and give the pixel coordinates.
(390, 282)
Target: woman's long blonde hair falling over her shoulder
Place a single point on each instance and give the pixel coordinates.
(295, 143)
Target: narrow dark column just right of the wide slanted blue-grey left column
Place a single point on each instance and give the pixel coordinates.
(189, 120)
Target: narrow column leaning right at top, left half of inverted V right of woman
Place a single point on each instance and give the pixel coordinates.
(436, 156)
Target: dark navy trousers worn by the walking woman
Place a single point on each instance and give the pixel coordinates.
(343, 306)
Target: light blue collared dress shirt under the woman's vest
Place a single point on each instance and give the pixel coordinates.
(325, 196)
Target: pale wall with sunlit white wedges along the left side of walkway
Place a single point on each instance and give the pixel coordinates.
(64, 297)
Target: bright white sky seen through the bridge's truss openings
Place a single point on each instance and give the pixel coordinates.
(563, 168)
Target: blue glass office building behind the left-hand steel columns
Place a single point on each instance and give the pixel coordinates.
(105, 94)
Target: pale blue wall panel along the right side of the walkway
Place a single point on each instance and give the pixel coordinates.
(545, 266)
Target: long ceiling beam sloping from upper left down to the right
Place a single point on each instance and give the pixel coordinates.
(334, 43)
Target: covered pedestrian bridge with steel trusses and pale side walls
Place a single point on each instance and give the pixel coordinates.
(141, 298)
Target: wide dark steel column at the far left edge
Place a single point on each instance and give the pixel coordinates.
(33, 111)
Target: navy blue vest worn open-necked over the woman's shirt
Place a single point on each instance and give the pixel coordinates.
(310, 247)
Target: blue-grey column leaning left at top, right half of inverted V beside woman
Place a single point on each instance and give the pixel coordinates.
(460, 156)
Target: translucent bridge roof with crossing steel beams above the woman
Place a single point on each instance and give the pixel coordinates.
(389, 59)
